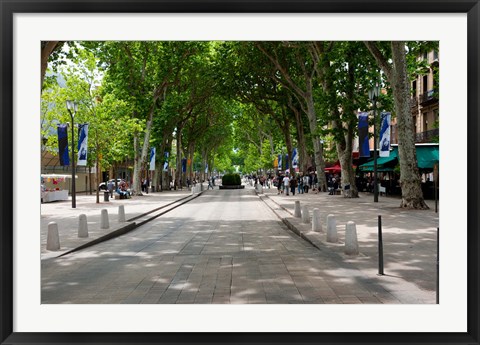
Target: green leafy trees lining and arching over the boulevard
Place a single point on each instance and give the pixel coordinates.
(216, 107)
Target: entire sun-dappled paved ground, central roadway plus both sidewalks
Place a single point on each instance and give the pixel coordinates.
(230, 247)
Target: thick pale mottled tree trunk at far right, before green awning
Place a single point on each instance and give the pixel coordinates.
(410, 182)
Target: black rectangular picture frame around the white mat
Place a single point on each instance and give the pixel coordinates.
(10, 7)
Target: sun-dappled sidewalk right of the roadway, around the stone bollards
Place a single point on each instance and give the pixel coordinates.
(409, 236)
